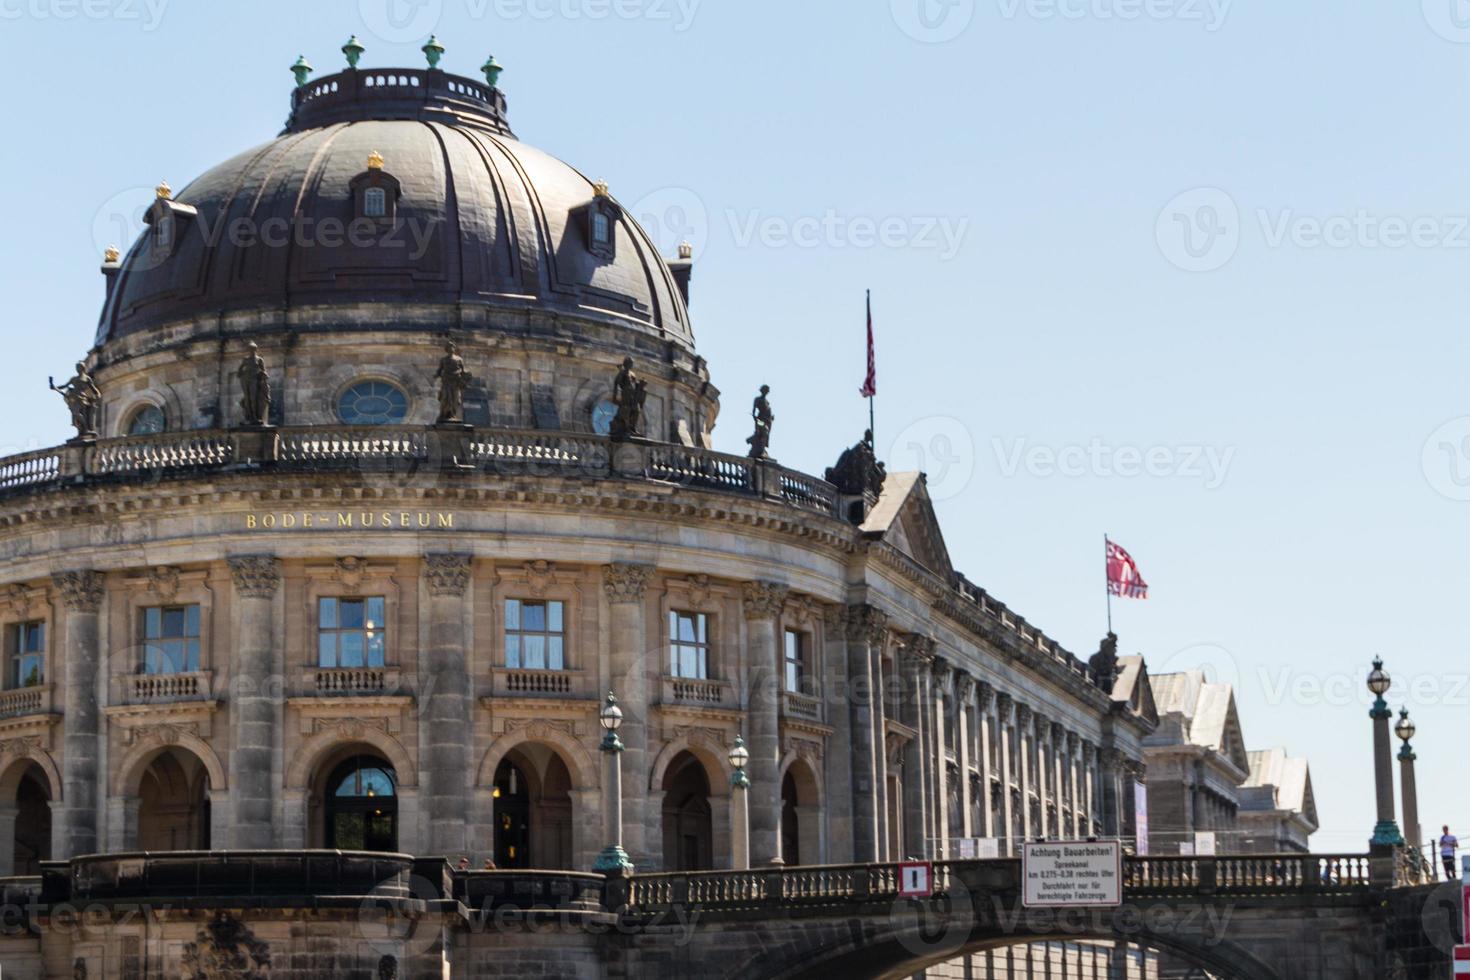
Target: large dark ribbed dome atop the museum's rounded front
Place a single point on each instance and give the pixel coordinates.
(476, 218)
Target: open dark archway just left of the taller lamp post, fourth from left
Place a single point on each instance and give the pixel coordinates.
(533, 810)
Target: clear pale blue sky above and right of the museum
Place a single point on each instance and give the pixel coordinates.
(1174, 228)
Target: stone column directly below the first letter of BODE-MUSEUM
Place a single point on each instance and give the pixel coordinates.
(254, 705)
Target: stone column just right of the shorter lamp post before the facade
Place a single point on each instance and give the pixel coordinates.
(762, 603)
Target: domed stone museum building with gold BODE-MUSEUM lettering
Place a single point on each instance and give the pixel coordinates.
(393, 459)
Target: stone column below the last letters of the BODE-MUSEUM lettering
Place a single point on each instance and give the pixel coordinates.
(445, 735)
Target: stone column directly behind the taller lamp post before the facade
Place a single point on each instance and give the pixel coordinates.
(625, 587)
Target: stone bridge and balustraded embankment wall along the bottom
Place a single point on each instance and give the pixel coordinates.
(345, 915)
